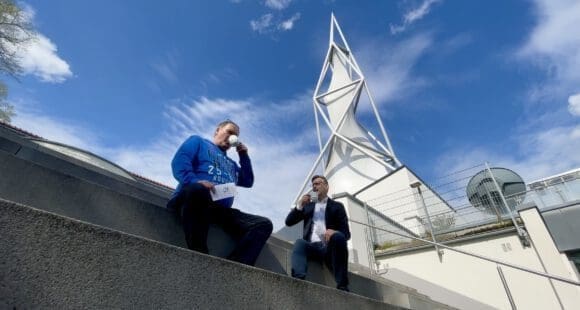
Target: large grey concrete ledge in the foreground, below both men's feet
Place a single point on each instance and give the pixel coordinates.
(50, 261)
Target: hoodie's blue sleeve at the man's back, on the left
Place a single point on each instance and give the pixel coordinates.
(182, 163)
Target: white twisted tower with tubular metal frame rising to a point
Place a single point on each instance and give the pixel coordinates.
(352, 157)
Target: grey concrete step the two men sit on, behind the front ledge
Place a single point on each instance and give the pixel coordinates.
(44, 180)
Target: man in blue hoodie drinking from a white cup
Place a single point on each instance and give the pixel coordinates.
(199, 165)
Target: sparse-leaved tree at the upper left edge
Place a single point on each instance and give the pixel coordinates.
(15, 30)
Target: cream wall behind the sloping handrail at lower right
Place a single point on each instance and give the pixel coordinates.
(480, 280)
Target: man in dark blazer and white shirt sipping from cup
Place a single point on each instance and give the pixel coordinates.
(325, 233)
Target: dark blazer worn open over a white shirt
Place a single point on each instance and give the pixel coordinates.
(334, 217)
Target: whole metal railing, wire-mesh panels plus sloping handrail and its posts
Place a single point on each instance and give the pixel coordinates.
(432, 215)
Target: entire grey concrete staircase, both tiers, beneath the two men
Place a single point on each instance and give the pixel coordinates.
(80, 235)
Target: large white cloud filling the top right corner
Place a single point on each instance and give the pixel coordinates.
(552, 45)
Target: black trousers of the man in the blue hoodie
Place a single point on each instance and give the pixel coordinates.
(197, 211)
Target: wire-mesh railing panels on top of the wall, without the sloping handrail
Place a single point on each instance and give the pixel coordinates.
(454, 211)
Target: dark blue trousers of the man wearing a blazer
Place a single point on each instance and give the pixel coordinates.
(334, 254)
